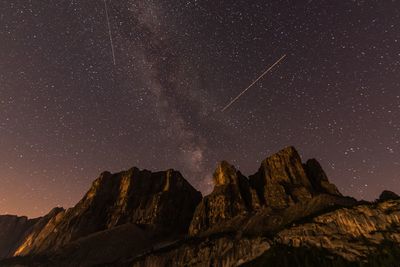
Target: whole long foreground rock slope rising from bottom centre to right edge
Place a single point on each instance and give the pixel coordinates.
(347, 236)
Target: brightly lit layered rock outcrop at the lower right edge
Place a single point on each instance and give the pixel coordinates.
(351, 233)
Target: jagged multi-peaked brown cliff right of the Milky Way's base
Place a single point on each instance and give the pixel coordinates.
(281, 181)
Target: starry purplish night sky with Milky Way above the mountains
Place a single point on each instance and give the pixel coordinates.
(67, 112)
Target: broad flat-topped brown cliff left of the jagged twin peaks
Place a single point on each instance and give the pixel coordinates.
(162, 202)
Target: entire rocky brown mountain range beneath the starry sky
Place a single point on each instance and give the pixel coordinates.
(287, 213)
